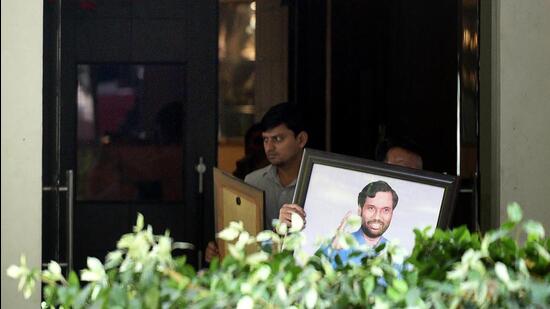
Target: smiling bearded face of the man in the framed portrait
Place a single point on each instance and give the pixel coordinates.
(376, 214)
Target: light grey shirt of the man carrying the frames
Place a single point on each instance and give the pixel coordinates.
(275, 194)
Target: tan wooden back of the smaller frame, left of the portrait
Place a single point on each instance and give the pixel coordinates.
(235, 200)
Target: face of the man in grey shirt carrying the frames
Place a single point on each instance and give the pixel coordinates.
(281, 145)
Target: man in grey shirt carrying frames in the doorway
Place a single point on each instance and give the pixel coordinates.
(284, 139)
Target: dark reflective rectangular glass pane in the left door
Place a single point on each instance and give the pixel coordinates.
(129, 132)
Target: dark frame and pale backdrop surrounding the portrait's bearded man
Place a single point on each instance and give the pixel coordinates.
(328, 186)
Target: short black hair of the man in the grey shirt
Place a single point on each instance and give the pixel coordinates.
(286, 113)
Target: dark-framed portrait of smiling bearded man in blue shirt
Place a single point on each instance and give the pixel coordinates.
(328, 187)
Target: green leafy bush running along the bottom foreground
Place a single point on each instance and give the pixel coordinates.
(447, 269)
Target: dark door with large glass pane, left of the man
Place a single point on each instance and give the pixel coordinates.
(158, 177)
